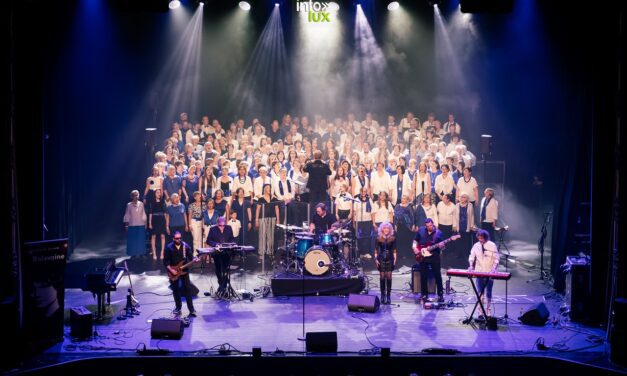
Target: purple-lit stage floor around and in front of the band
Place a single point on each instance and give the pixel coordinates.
(275, 323)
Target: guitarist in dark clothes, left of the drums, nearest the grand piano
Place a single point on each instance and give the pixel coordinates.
(178, 252)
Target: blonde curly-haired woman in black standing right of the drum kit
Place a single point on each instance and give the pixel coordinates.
(385, 259)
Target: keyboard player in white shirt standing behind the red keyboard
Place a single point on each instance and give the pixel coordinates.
(484, 257)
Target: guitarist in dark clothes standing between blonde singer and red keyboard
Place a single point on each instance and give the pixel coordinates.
(429, 235)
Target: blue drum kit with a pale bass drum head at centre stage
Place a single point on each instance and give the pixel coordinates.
(320, 255)
